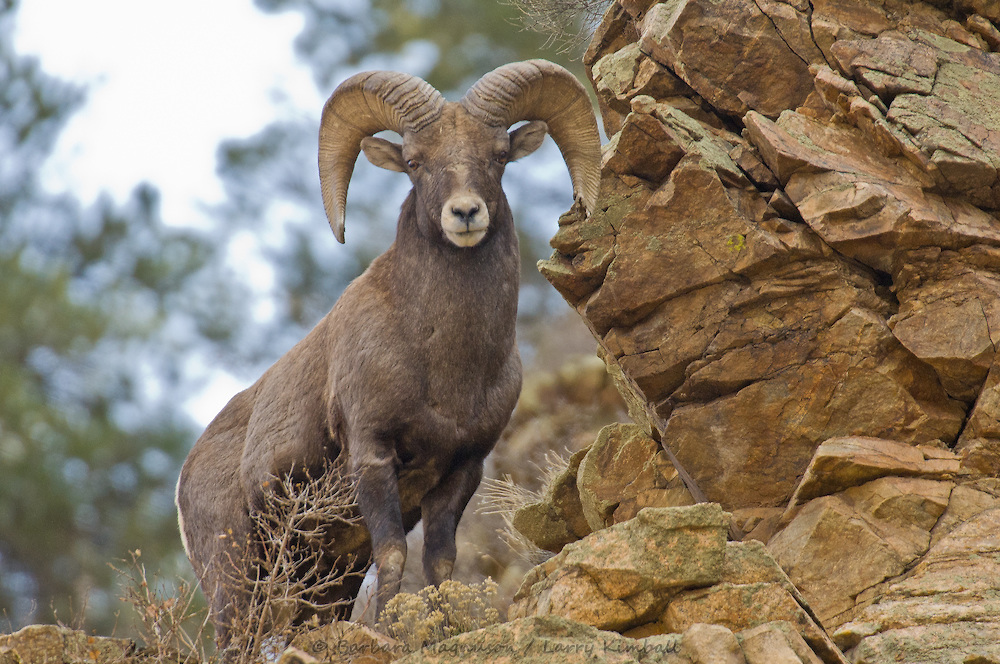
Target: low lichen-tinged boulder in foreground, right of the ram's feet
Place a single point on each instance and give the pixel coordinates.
(669, 571)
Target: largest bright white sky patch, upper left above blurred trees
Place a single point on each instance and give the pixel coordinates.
(167, 81)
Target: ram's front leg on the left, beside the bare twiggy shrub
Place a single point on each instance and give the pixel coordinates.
(378, 502)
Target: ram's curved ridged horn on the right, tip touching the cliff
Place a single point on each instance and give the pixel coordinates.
(542, 90)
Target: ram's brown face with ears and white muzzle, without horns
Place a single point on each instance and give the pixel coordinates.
(455, 165)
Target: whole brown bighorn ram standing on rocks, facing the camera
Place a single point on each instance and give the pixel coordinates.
(410, 379)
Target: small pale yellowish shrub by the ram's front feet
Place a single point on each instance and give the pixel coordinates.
(438, 613)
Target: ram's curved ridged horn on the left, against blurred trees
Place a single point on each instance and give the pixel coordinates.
(361, 106)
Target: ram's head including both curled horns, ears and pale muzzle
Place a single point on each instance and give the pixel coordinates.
(455, 153)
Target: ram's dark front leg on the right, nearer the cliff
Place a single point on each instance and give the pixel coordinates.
(441, 510)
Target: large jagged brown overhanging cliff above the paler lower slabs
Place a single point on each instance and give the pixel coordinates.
(832, 270)
